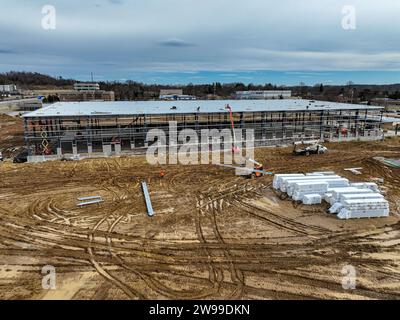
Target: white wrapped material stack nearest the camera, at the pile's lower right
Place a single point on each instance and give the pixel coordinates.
(370, 208)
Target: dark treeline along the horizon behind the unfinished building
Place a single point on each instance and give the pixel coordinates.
(133, 90)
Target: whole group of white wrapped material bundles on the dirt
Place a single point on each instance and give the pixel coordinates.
(347, 200)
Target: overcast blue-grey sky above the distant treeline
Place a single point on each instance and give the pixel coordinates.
(177, 41)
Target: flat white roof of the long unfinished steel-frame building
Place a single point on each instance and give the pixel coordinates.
(95, 108)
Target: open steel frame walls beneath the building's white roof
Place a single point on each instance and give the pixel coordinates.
(115, 134)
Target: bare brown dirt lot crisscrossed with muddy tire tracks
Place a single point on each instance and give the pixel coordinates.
(214, 235)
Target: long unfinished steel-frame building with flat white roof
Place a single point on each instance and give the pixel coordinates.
(112, 128)
